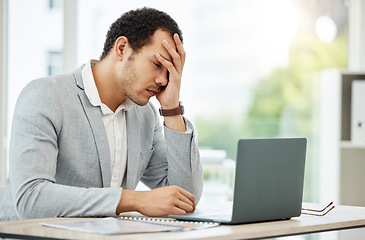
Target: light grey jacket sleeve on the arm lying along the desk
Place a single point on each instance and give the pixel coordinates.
(33, 164)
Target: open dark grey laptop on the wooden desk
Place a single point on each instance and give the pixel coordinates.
(268, 183)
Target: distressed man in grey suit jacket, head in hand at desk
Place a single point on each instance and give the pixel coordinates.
(81, 142)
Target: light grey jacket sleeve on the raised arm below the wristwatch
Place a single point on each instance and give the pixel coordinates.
(175, 160)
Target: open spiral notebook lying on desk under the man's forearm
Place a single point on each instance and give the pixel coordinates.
(124, 225)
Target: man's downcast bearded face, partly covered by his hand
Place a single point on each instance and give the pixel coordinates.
(143, 76)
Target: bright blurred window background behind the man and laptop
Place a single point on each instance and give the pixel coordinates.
(253, 67)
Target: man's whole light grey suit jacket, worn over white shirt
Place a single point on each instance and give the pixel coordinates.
(60, 160)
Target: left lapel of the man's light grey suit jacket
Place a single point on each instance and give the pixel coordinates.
(98, 130)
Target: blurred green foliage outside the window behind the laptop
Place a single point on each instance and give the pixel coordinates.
(284, 104)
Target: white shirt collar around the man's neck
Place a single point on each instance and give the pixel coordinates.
(92, 91)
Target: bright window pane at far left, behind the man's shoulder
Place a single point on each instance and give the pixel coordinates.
(35, 41)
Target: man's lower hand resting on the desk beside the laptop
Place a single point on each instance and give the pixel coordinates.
(158, 202)
